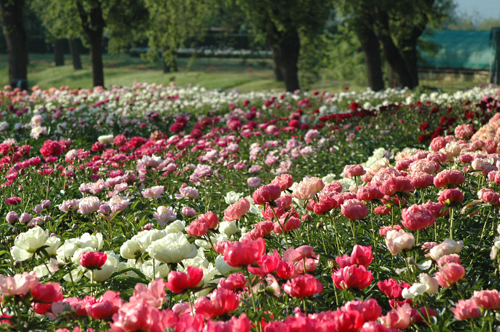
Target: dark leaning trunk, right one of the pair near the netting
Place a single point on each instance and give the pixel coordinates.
(392, 53)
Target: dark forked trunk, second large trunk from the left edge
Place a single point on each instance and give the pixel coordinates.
(93, 30)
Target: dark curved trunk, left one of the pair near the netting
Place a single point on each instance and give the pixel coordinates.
(373, 58)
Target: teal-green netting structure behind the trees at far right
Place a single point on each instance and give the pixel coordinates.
(459, 49)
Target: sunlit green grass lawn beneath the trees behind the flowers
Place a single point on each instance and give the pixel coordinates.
(227, 74)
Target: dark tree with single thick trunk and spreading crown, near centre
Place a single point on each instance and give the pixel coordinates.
(281, 23)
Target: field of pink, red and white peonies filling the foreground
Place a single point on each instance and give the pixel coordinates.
(162, 208)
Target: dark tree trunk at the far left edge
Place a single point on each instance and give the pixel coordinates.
(17, 45)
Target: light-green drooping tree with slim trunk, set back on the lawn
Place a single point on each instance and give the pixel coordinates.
(171, 24)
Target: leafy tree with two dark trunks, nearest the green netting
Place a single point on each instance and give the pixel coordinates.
(395, 28)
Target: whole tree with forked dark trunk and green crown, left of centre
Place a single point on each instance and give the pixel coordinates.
(119, 19)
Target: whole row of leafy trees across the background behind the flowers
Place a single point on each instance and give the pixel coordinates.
(380, 37)
